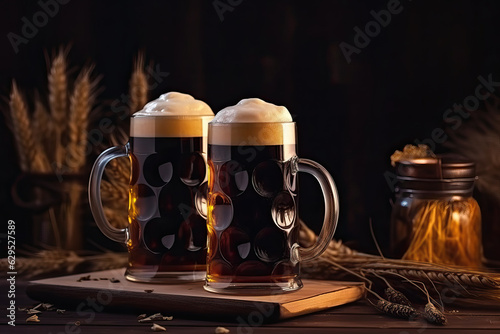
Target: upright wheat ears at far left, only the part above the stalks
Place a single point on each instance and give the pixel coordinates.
(57, 136)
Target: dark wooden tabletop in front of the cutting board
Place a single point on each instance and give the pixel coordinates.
(357, 317)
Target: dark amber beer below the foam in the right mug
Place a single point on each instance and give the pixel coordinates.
(252, 214)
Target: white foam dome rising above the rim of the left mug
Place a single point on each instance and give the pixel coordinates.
(175, 104)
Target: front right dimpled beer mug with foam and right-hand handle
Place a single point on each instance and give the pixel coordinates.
(253, 223)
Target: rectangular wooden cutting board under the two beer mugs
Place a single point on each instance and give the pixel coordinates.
(189, 299)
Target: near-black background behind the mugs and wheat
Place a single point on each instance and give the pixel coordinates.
(351, 116)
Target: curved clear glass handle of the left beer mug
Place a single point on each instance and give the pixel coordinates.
(116, 234)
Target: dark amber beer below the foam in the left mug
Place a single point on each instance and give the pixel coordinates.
(167, 232)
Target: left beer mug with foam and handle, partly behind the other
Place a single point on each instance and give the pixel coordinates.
(166, 236)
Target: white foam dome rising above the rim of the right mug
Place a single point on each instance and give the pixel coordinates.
(253, 110)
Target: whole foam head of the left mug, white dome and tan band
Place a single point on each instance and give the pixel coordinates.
(171, 115)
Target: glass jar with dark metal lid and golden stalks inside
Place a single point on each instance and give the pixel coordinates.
(434, 217)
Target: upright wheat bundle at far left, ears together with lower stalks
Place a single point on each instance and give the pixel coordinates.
(54, 139)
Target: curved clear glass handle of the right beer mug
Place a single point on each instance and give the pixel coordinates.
(331, 197)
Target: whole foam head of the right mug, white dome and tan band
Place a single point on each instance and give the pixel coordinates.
(252, 122)
